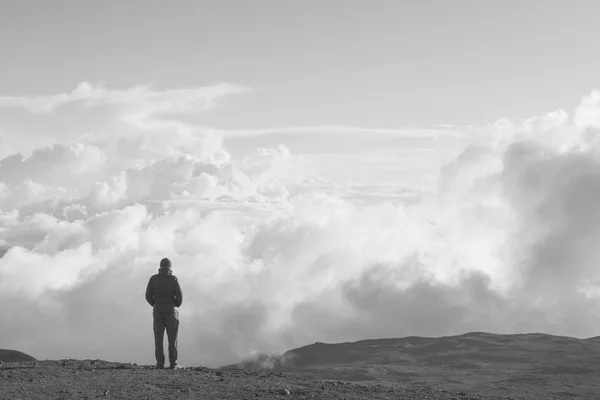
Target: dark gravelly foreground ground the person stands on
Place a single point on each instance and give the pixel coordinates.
(93, 379)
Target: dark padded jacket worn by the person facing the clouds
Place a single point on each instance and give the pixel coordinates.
(164, 291)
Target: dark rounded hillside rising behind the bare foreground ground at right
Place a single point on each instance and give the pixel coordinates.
(536, 365)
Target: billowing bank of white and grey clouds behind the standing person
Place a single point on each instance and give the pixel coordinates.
(270, 255)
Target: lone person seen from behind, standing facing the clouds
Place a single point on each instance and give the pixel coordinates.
(164, 294)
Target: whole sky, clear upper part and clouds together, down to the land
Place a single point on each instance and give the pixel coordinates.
(316, 171)
